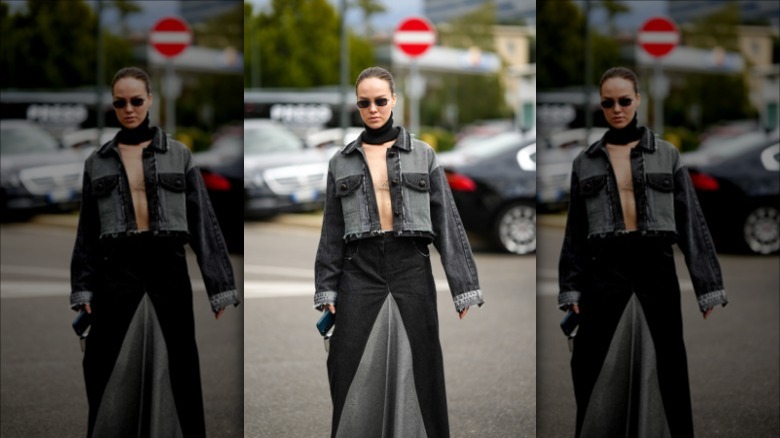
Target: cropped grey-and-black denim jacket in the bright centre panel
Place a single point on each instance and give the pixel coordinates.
(422, 206)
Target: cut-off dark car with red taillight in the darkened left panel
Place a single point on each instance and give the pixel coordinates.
(222, 168)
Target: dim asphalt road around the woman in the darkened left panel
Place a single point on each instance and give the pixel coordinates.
(41, 383)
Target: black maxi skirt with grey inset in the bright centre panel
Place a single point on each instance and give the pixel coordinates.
(385, 362)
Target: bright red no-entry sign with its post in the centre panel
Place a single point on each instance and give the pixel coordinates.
(414, 36)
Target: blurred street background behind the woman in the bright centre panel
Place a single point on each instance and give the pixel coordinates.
(476, 93)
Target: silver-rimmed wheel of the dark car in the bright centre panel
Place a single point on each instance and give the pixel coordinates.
(515, 228)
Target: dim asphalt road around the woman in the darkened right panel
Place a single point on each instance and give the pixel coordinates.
(733, 356)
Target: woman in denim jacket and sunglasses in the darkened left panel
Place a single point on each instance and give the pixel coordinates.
(143, 199)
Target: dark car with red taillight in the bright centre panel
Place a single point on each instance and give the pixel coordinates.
(494, 187)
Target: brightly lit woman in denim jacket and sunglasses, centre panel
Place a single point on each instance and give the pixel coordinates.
(387, 199)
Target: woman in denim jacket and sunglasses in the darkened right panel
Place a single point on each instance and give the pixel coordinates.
(631, 199)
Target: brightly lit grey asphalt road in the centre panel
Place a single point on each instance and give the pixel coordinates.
(489, 357)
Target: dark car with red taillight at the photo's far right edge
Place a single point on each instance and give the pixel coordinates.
(738, 186)
